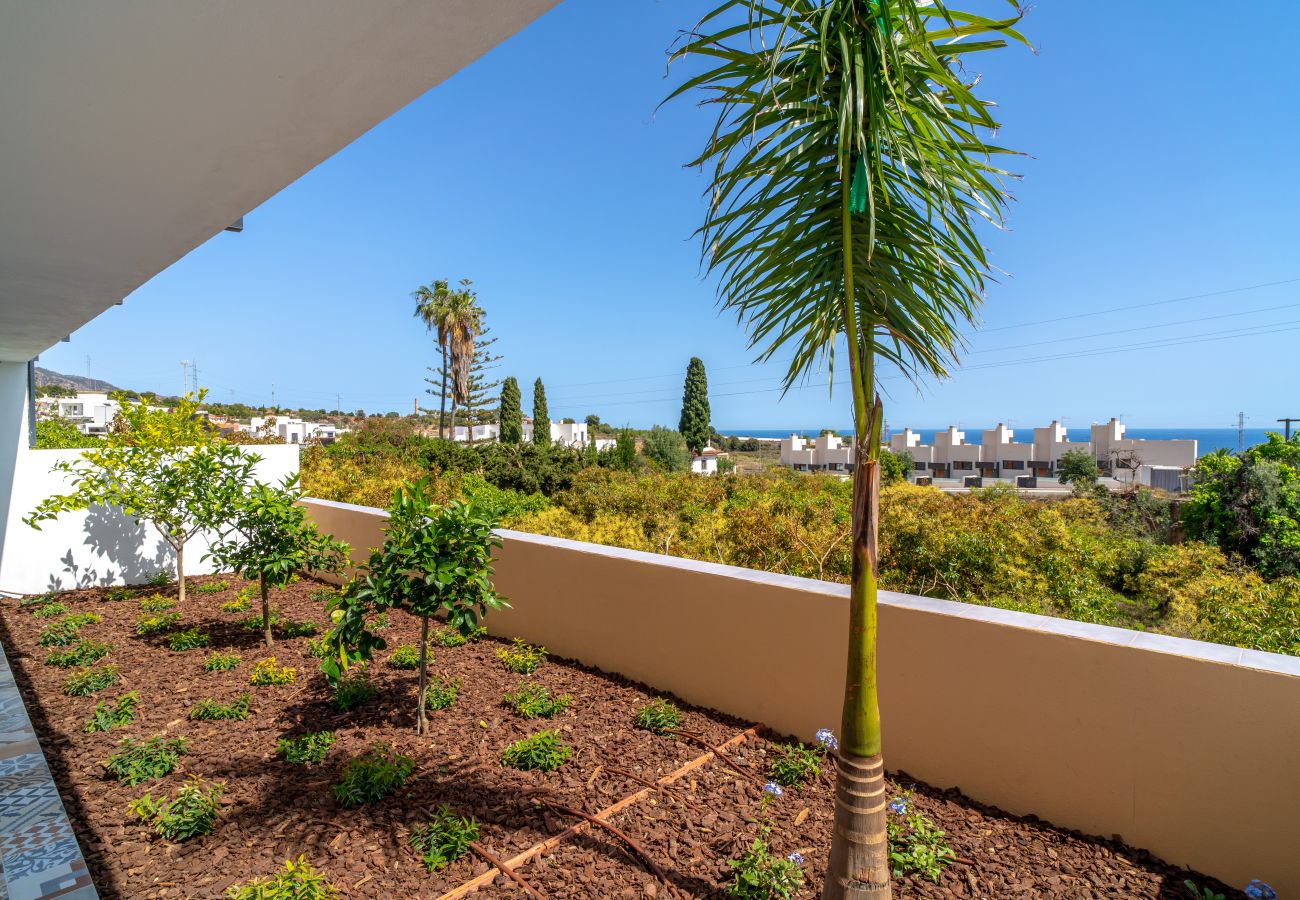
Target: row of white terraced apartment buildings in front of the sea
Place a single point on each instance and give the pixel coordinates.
(999, 456)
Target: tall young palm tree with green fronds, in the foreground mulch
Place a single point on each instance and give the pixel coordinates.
(848, 168)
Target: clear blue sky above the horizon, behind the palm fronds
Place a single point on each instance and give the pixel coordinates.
(1162, 142)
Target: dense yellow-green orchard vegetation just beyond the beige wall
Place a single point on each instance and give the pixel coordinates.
(1108, 560)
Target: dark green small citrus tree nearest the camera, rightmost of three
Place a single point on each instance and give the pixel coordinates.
(432, 561)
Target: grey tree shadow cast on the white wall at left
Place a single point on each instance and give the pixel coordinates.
(123, 546)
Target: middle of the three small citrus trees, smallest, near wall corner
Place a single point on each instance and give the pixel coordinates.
(268, 538)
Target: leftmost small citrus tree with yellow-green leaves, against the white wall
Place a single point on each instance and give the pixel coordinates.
(164, 468)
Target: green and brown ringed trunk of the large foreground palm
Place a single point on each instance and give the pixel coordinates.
(859, 867)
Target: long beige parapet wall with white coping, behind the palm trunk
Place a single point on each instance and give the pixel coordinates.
(1189, 750)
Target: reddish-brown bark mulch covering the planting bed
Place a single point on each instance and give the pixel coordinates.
(274, 811)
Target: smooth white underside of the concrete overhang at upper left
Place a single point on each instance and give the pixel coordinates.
(132, 132)
